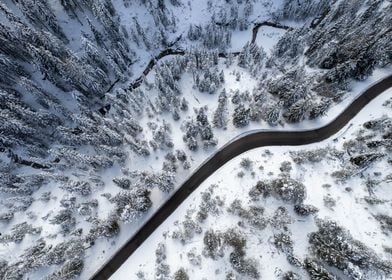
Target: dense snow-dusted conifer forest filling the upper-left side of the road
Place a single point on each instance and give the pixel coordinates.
(81, 123)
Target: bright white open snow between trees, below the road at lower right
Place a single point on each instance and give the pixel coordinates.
(350, 211)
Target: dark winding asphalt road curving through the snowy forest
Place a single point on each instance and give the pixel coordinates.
(226, 153)
